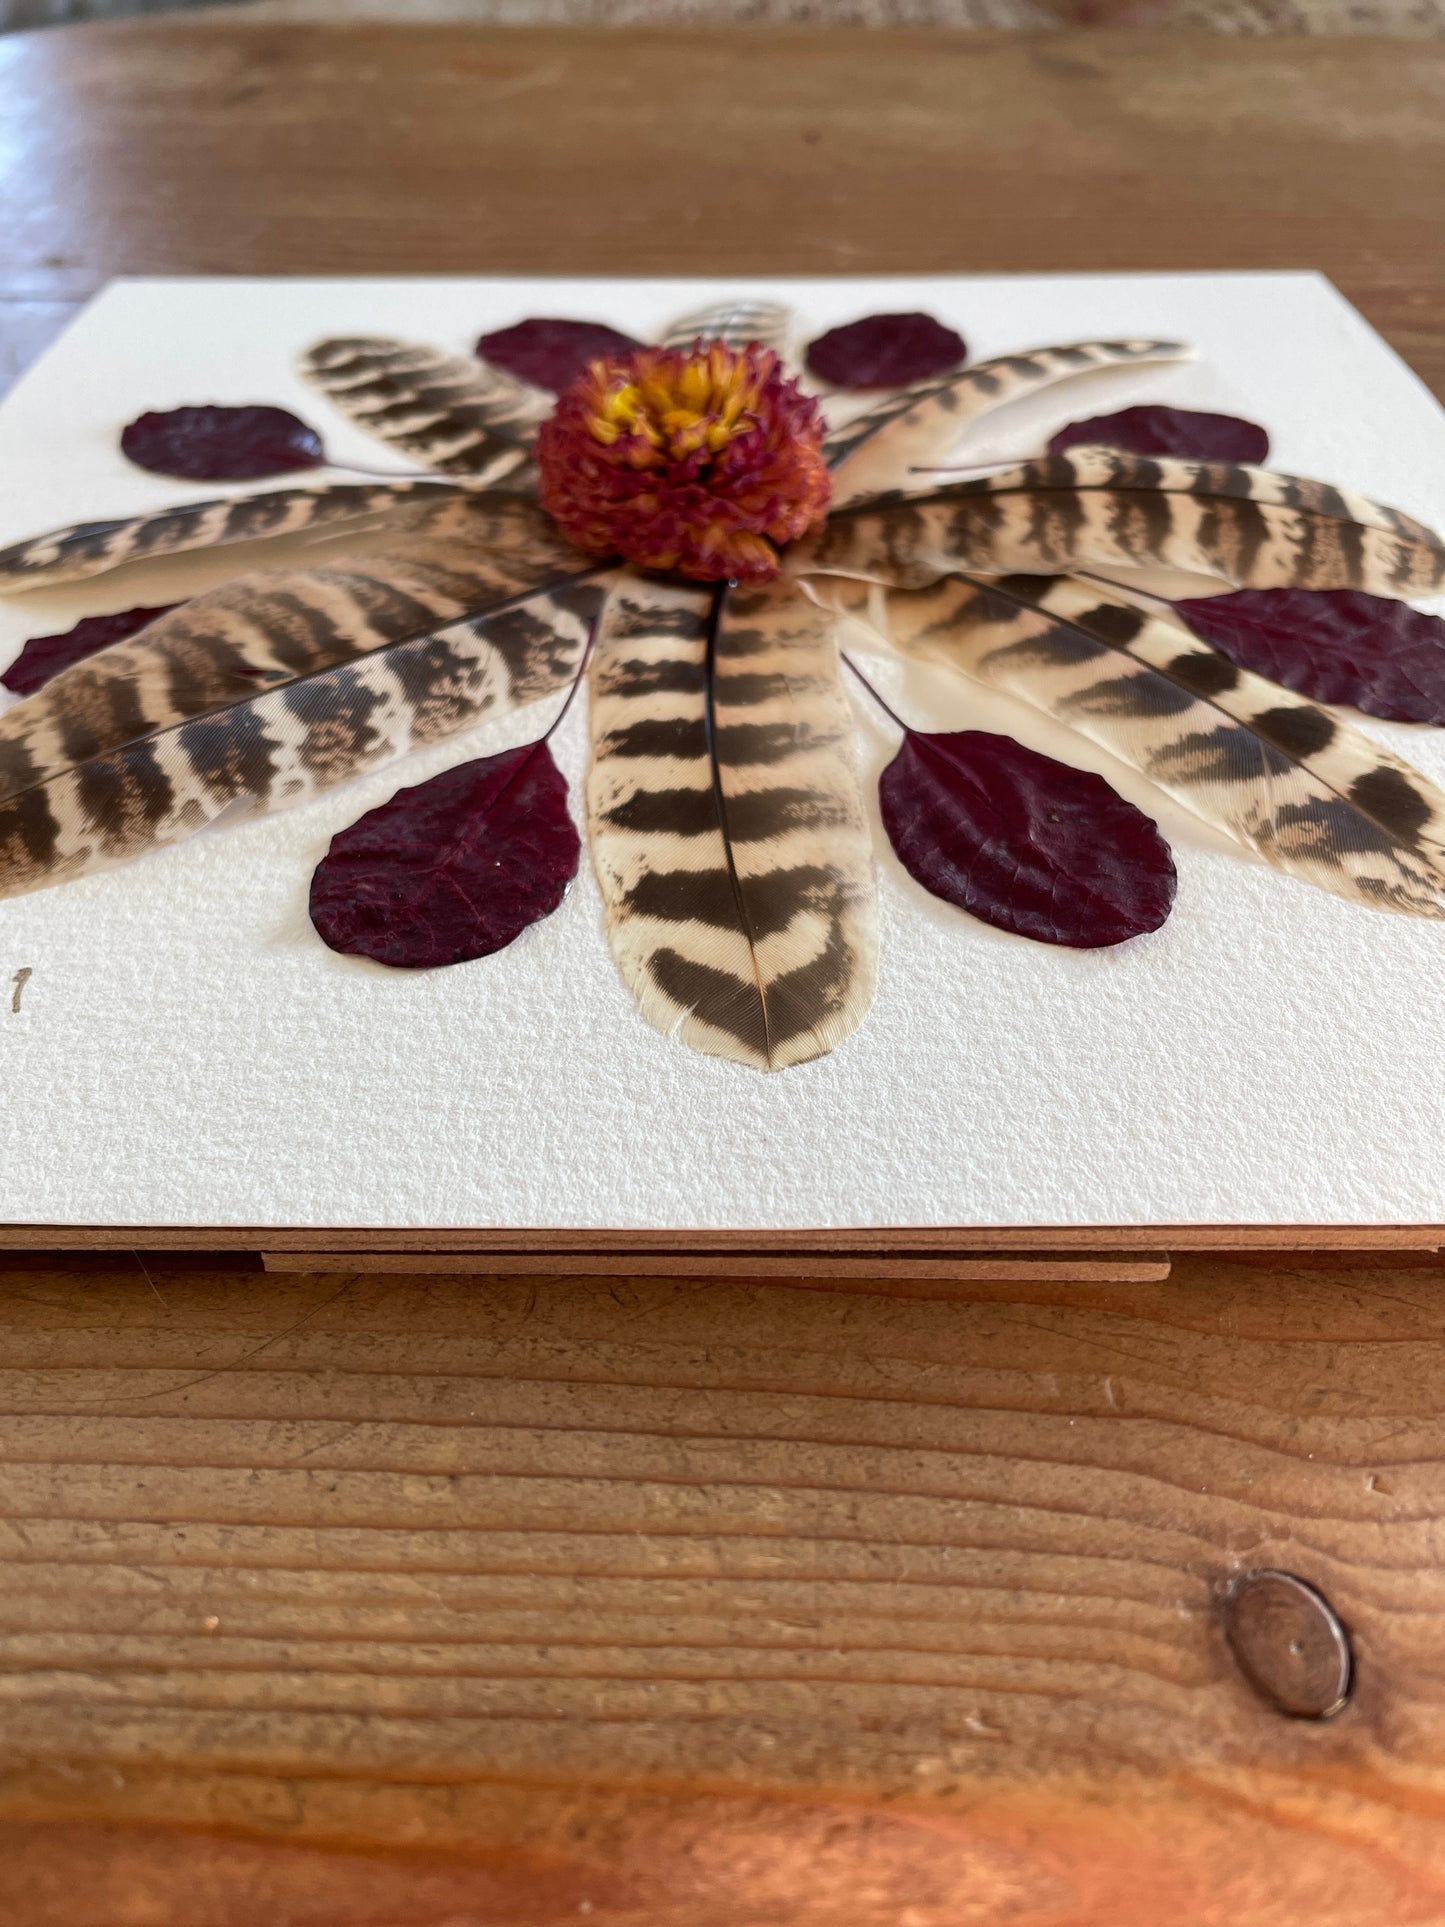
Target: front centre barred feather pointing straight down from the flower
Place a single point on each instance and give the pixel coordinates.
(727, 822)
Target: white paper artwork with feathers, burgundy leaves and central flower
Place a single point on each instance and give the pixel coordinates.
(756, 639)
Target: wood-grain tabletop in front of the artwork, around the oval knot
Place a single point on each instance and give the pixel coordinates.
(510, 1602)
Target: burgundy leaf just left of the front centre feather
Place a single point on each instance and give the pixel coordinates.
(454, 868)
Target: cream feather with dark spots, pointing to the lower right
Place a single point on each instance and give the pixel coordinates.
(1284, 778)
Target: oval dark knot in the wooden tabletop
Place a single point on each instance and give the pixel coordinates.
(1290, 1645)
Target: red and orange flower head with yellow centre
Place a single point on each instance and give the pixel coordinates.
(693, 462)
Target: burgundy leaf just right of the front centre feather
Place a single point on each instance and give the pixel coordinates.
(1026, 843)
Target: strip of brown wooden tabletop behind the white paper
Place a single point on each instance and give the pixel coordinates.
(246, 147)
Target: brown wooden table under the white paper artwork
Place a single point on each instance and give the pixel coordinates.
(471, 1602)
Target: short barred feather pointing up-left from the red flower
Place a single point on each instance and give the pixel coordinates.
(452, 413)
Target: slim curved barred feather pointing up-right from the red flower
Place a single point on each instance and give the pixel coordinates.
(878, 452)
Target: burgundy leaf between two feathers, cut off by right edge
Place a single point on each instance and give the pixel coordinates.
(1336, 647)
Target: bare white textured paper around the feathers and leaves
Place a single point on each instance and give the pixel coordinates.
(188, 1053)
